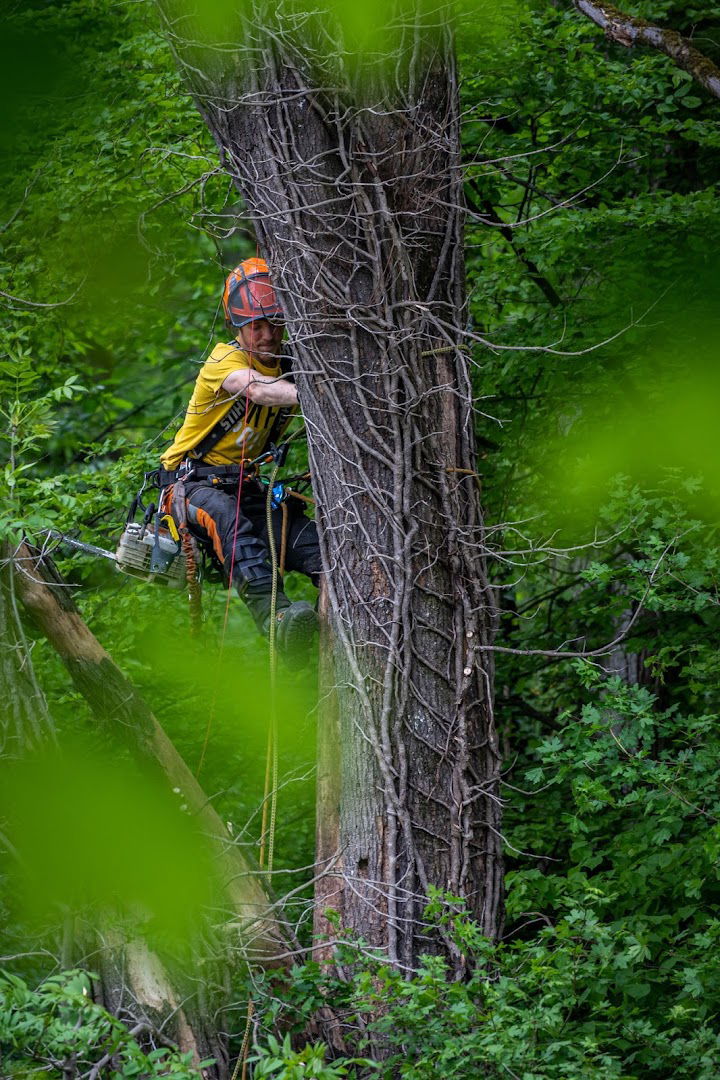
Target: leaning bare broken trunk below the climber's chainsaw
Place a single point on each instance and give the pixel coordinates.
(116, 703)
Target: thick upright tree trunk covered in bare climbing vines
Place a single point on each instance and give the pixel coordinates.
(354, 181)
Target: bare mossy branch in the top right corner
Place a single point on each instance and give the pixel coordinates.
(629, 31)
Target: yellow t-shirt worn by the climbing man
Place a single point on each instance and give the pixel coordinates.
(210, 402)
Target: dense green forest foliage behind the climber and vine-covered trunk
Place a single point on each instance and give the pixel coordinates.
(592, 260)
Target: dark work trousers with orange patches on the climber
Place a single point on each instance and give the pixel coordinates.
(212, 516)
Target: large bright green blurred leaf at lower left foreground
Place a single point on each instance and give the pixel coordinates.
(91, 829)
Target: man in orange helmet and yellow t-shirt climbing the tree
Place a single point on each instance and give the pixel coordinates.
(243, 400)
